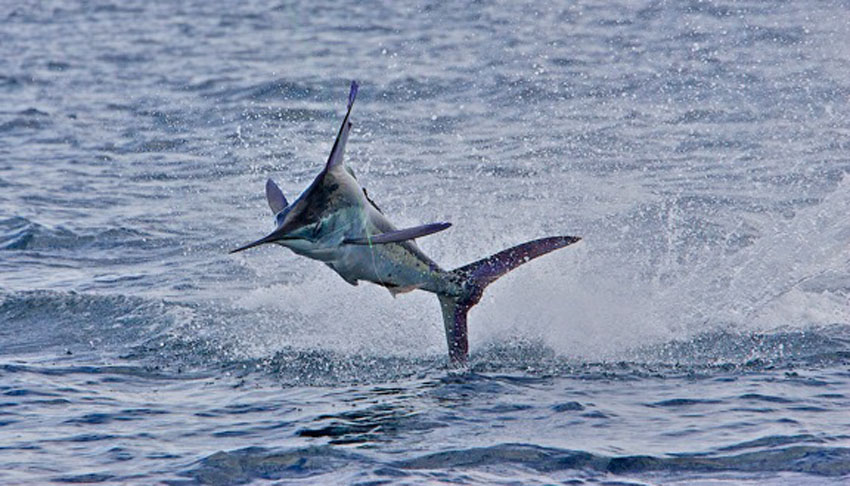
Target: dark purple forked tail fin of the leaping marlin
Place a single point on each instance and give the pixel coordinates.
(475, 277)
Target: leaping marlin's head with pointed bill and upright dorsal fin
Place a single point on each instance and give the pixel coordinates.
(313, 220)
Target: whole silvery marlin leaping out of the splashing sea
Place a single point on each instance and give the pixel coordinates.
(335, 222)
